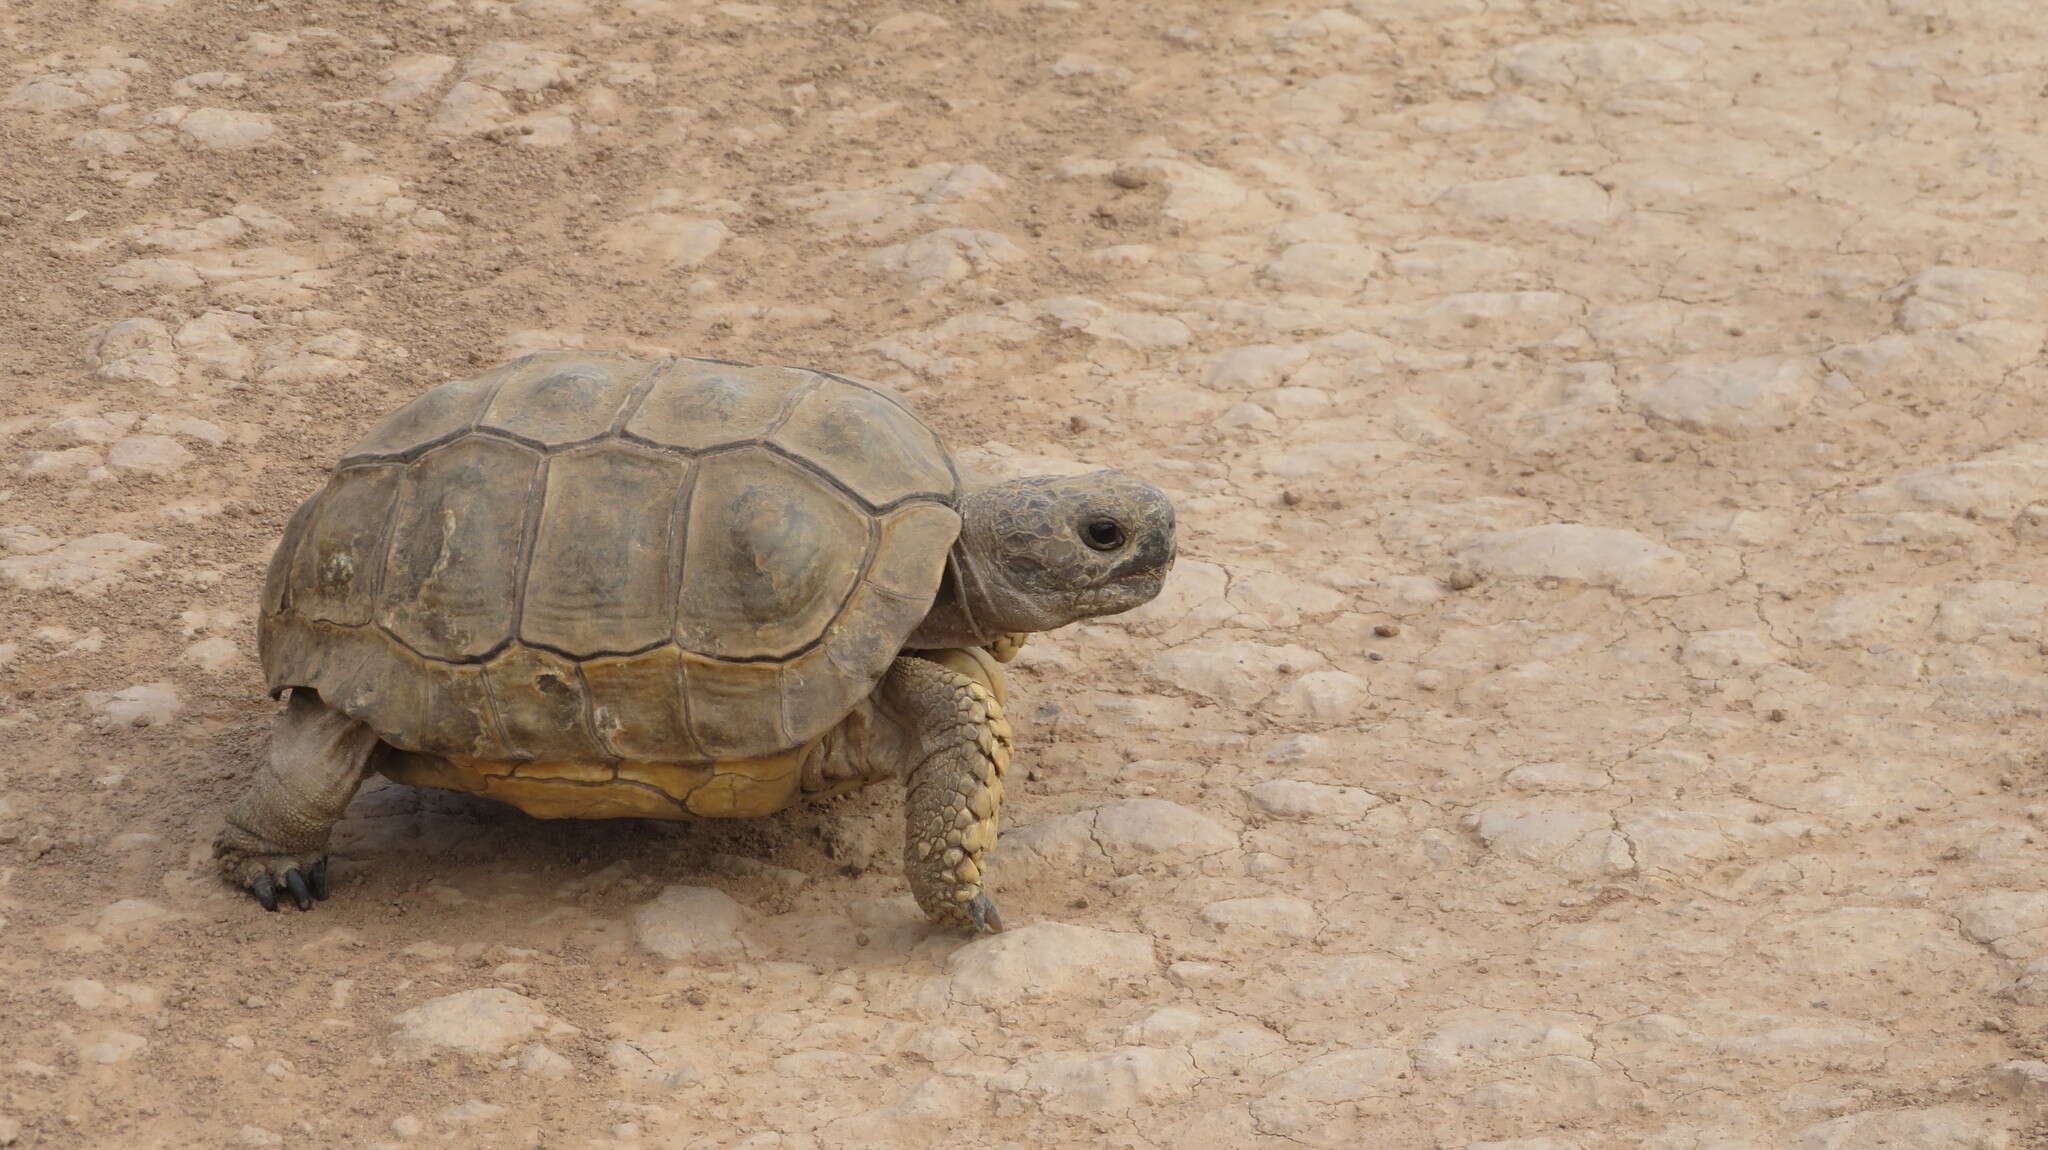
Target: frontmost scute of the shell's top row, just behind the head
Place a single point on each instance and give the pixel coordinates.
(867, 443)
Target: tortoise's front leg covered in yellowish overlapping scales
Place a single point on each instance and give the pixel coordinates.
(959, 748)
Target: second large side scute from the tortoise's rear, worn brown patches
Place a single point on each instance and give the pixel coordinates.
(456, 547)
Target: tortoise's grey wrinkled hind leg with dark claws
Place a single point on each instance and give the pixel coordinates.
(278, 836)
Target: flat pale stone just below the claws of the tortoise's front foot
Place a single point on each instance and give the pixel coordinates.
(1046, 961)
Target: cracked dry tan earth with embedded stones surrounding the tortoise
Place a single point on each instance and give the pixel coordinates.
(1598, 705)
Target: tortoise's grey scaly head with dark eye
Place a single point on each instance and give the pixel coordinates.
(1054, 549)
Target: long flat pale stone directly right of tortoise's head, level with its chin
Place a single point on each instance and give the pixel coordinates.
(1603, 558)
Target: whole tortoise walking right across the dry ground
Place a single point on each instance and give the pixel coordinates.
(605, 586)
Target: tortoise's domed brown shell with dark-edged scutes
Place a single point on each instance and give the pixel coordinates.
(599, 558)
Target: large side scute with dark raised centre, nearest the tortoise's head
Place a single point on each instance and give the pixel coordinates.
(769, 560)
